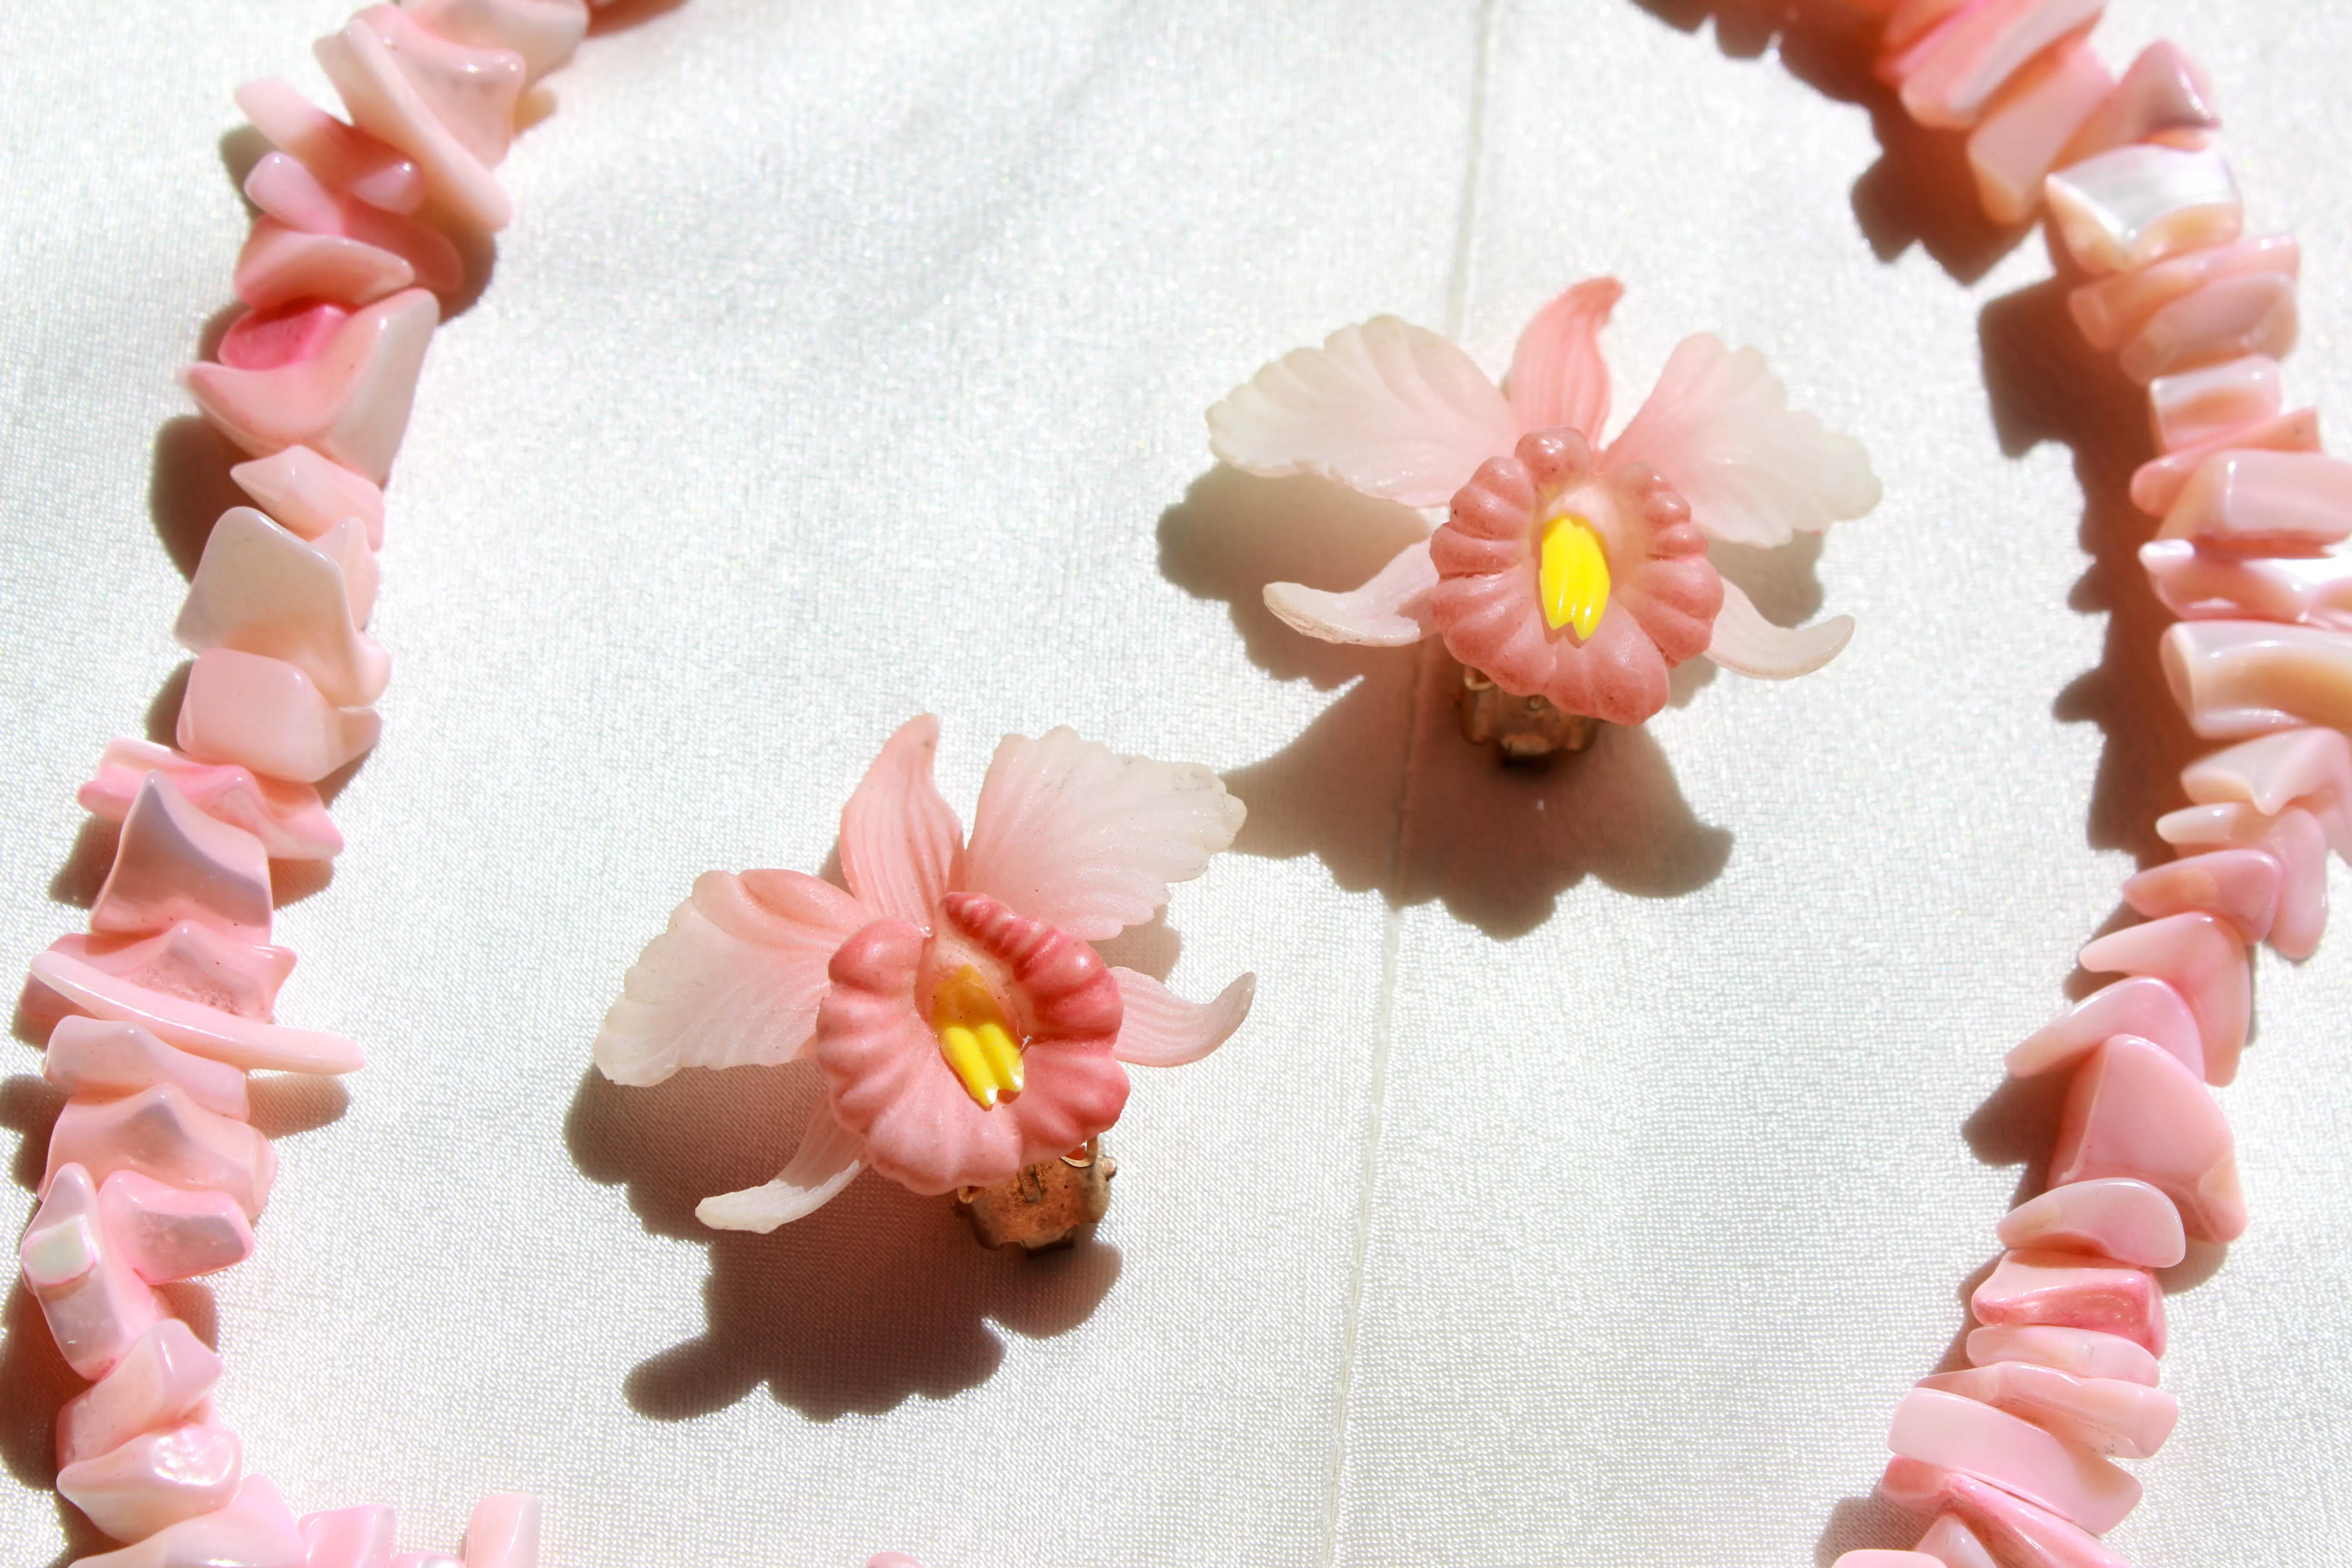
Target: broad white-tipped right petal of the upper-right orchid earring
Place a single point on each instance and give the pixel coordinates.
(1720, 431)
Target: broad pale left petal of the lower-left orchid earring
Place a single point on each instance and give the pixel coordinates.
(733, 981)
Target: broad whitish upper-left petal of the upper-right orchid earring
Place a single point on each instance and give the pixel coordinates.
(1389, 410)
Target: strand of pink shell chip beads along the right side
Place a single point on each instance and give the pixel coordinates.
(2012, 1459)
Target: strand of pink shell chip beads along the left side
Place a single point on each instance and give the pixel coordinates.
(163, 1007)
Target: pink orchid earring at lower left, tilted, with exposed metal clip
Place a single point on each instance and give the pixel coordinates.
(968, 1036)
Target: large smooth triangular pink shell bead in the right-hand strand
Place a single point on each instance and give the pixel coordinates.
(2139, 1113)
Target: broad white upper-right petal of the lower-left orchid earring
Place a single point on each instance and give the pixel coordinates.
(1088, 840)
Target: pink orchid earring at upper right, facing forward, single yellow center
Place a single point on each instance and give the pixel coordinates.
(1568, 572)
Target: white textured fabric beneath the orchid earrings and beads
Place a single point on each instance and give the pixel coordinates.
(1608, 1151)
